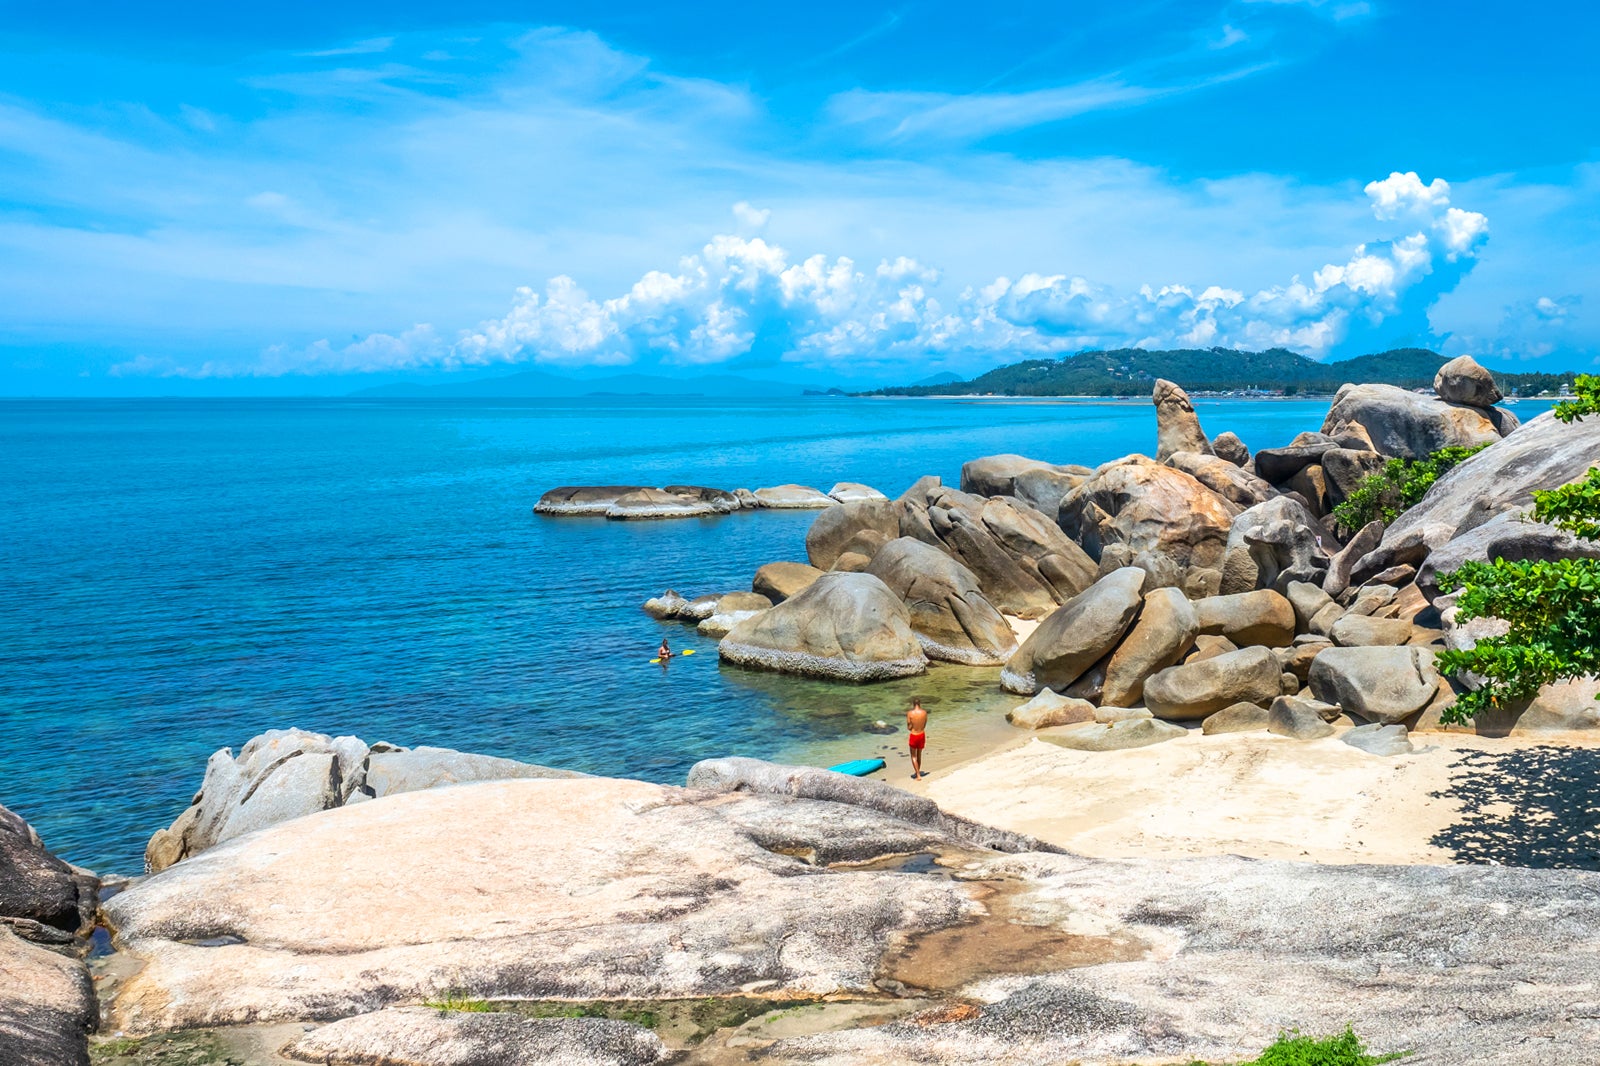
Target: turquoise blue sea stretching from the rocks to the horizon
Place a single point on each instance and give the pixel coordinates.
(182, 575)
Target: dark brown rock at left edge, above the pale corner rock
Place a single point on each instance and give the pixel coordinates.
(41, 896)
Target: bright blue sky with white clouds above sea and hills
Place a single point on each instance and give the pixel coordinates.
(313, 198)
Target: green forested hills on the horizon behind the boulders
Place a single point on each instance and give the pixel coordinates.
(1134, 371)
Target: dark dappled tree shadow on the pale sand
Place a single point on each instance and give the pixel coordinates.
(1535, 808)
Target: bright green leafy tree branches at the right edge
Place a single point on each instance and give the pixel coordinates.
(1553, 609)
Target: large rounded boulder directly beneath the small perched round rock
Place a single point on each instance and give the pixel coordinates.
(1409, 425)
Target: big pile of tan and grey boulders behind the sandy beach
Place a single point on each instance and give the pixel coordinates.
(1206, 580)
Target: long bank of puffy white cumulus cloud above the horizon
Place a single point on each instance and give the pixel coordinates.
(746, 297)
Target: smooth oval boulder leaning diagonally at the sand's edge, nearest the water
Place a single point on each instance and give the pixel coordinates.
(1078, 635)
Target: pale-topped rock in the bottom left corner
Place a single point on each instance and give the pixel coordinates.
(47, 1006)
